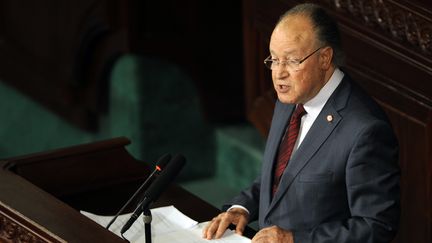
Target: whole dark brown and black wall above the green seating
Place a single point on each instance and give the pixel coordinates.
(60, 53)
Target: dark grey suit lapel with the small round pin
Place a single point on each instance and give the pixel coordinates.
(316, 136)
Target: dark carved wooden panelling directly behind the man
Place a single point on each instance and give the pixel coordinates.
(388, 48)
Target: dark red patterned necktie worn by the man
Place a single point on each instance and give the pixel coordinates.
(287, 145)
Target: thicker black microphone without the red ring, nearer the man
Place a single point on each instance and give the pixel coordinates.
(159, 185)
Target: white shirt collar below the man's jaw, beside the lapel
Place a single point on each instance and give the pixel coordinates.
(314, 106)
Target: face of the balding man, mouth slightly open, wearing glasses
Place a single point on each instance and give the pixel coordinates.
(294, 39)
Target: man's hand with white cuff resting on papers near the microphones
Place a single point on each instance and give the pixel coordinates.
(220, 223)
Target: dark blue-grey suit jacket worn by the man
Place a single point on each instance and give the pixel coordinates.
(342, 184)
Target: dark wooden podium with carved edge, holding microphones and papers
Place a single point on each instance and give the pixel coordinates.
(41, 194)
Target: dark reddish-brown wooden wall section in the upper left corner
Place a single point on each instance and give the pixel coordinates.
(58, 53)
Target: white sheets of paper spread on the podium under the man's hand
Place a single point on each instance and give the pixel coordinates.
(168, 225)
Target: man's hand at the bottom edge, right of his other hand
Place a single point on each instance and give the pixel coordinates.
(273, 234)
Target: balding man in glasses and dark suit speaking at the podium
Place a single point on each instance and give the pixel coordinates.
(330, 170)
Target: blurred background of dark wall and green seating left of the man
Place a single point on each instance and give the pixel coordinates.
(168, 75)
